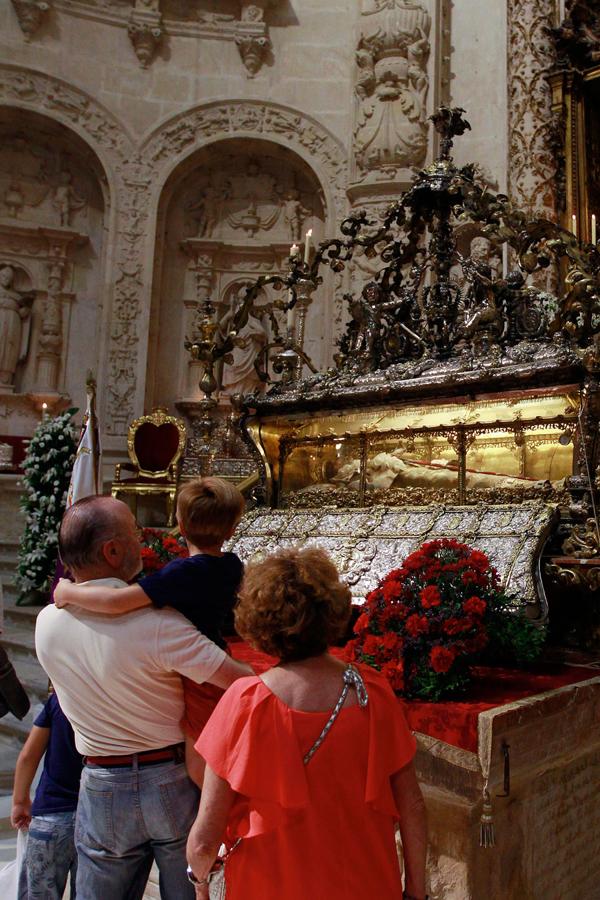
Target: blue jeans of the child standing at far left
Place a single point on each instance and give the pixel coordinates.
(49, 858)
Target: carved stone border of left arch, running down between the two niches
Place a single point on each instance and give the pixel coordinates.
(127, 181)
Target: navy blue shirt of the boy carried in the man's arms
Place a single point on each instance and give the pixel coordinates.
(201, 587)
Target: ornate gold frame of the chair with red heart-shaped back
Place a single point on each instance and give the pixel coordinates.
(168, 478)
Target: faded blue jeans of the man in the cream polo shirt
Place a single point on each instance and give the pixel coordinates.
(126, 818)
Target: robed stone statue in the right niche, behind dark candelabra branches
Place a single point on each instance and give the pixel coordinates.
(240, 376)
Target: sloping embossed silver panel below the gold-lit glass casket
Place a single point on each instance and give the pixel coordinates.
(366, 544)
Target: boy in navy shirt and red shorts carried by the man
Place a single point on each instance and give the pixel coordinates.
(203, 587)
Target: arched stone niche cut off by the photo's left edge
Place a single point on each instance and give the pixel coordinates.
(52, 209)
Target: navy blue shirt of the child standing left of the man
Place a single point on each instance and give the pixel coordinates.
(59, 784)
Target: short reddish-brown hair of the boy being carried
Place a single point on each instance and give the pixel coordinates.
(208, 509)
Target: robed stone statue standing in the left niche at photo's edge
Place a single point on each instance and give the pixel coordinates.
(15, 311)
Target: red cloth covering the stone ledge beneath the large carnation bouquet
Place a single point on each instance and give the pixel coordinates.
(456, 722)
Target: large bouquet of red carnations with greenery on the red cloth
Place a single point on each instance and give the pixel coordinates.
(429, 621)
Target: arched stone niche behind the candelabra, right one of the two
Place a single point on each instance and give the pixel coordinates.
(229, 214)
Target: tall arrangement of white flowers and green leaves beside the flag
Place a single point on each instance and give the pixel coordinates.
(47, 466)
